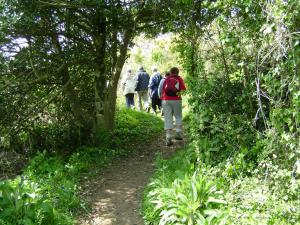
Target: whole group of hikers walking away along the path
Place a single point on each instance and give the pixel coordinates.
(163, 92)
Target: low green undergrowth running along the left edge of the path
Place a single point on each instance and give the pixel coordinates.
(47, 191)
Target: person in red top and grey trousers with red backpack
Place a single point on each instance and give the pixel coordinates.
(170, 93)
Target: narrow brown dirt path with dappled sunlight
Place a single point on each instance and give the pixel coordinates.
(116, 193)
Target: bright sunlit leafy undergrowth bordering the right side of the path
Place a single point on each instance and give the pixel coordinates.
(187, 190)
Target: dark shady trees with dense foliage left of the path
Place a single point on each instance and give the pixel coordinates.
(56, 59)
